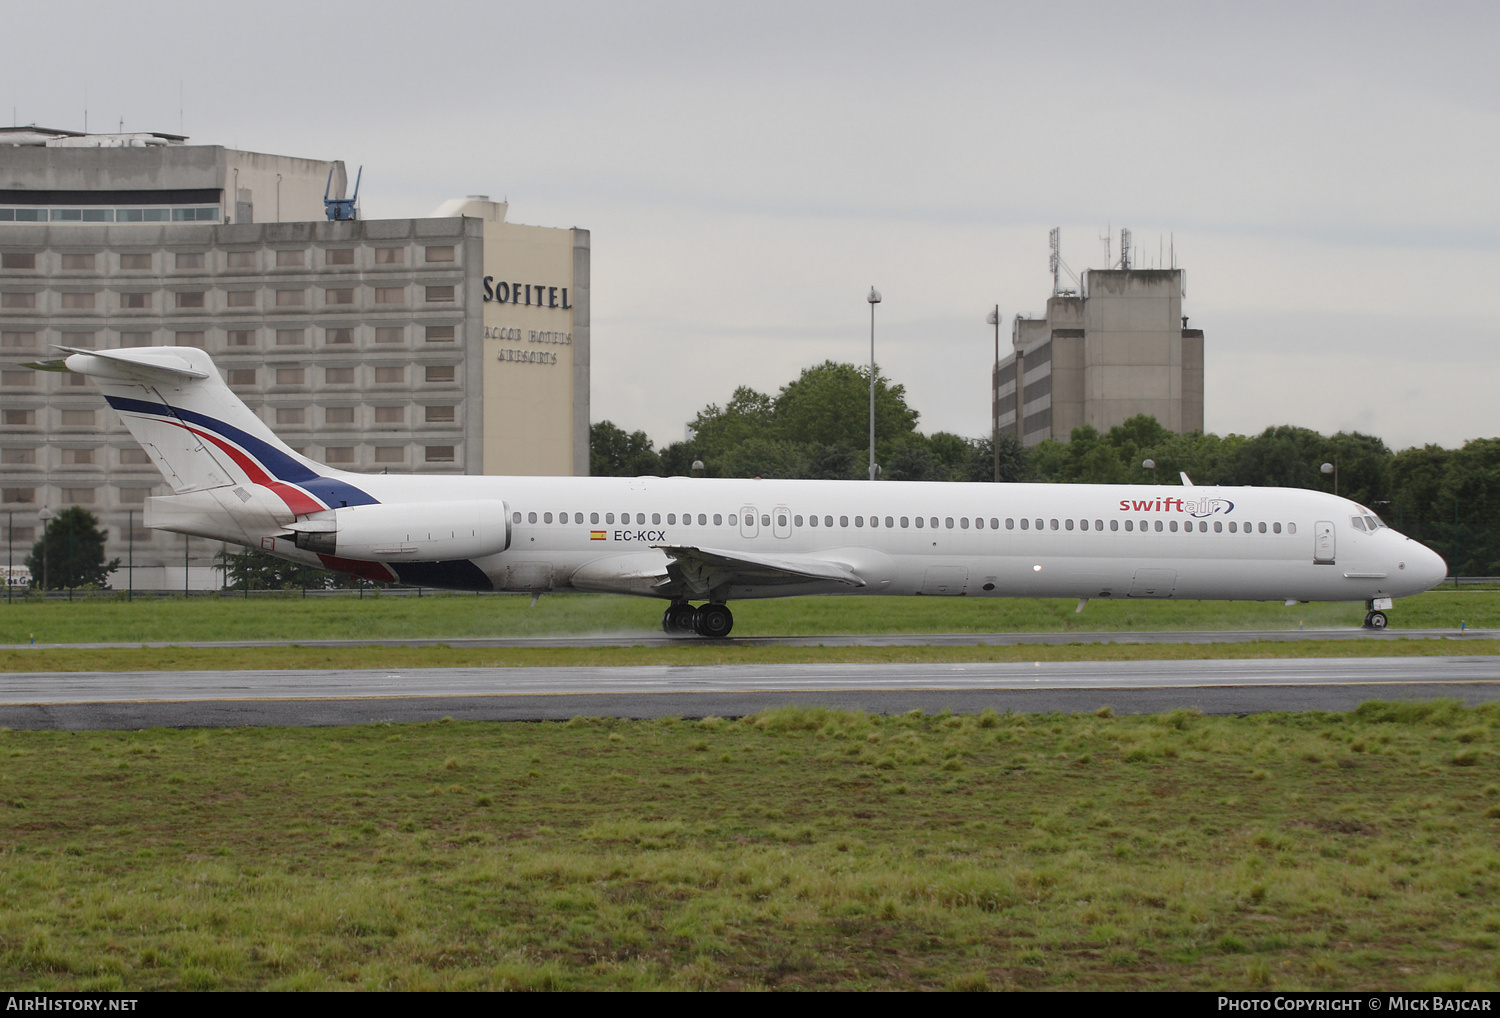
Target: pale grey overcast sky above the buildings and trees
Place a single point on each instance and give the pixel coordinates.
(1327, 175)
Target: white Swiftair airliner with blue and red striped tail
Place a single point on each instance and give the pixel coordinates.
(718, 540)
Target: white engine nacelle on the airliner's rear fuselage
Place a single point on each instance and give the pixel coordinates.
(407, 531)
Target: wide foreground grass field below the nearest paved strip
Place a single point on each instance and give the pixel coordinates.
(794, 849)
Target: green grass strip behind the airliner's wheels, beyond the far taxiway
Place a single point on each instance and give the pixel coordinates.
(452, 617)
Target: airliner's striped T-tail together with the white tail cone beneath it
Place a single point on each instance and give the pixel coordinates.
(233, 479)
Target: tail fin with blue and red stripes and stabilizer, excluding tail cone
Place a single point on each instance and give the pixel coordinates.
(199, 434)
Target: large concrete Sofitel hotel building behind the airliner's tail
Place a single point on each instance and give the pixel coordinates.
(455, 344)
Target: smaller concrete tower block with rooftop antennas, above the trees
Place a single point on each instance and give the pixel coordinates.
(1120, 350)
